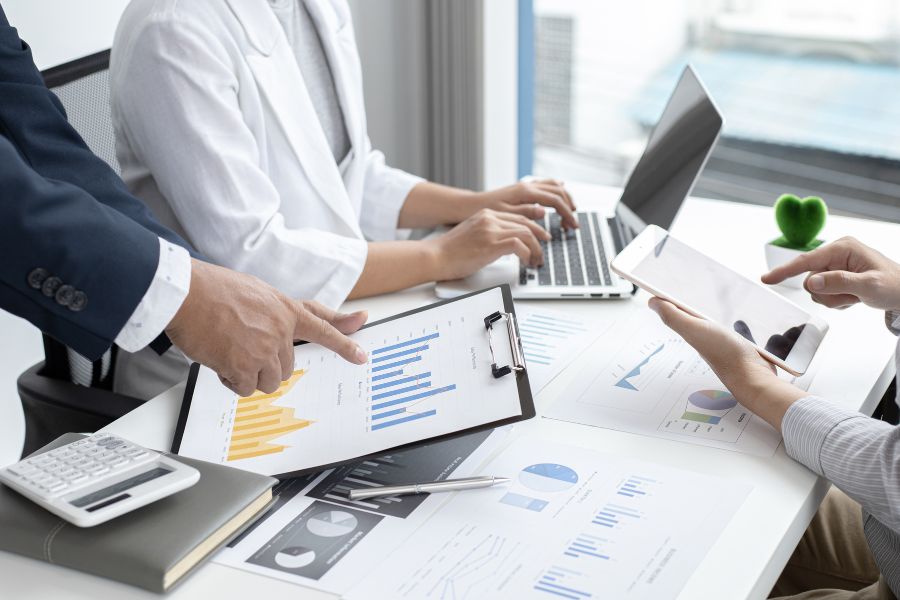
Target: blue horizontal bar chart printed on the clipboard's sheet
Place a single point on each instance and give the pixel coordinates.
(399, 383)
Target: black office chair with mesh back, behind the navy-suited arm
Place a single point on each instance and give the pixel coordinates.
(67, 392)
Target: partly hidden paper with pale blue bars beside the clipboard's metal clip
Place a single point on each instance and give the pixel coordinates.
(553, 339)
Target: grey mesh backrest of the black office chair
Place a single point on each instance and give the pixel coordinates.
(82, 86)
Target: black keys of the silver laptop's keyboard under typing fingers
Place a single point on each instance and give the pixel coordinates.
(574, 257)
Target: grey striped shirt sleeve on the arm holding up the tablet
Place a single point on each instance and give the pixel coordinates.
(858, 454)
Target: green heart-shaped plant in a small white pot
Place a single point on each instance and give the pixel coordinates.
(800, 222)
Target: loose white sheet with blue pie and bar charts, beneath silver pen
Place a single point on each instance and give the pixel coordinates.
(608, 528)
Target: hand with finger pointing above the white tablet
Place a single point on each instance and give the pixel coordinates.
(843, 273)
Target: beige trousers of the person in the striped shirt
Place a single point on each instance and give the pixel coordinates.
(833, 560)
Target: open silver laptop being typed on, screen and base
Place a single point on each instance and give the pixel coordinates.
(576, 263)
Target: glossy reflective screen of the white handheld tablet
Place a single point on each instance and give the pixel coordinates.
(722, 295)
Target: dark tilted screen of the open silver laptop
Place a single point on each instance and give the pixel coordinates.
(675, 154)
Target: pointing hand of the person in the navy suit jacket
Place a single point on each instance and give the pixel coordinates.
(244, 329)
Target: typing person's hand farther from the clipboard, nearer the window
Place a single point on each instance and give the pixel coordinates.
(528, 198)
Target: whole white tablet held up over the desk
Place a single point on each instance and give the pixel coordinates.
(784, 333)
